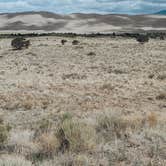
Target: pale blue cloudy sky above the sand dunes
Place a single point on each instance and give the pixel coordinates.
(84, 6)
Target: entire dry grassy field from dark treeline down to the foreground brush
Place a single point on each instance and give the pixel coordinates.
(98, 102)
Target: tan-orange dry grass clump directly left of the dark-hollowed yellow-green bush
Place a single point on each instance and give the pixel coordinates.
(45, 141)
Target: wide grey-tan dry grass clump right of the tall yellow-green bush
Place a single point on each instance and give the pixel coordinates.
(116, 124)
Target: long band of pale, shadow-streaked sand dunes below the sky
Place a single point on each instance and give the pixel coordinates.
(79, 23)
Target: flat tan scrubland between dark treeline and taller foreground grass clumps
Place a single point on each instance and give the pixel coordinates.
(98, 74)
